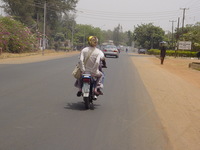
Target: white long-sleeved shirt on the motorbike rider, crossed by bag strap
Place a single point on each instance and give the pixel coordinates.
(93, 62)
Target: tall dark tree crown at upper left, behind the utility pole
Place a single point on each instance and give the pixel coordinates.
(31, 12)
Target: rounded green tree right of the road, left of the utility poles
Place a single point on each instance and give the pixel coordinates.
(148, 36)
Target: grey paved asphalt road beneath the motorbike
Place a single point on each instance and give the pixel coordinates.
(39, 109)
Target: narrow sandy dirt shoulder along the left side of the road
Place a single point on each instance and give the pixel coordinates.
(28, 58)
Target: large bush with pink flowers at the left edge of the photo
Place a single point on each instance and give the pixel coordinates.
(15, 37)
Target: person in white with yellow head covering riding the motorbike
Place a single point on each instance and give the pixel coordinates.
(92, 65)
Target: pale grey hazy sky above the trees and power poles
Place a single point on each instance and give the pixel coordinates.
(107, 14)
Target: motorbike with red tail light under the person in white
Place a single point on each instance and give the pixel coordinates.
(88, 84)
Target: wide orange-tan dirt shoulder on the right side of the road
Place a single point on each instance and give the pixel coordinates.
(174, 89)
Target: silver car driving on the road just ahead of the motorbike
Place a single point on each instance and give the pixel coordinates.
(111, 50)
